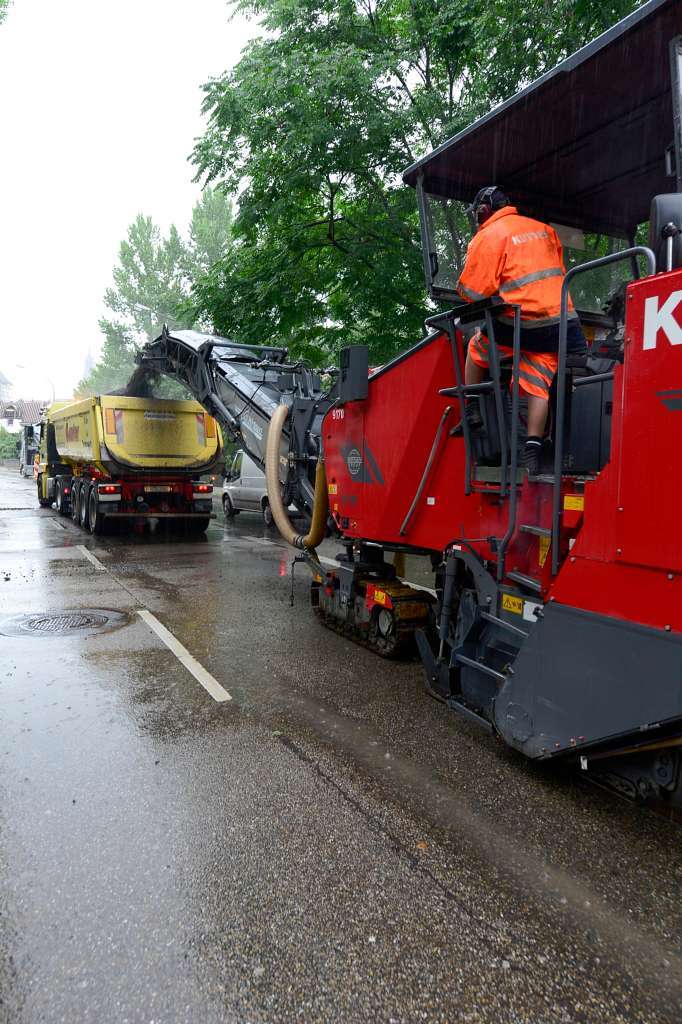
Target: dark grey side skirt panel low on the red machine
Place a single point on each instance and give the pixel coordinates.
(582, 678)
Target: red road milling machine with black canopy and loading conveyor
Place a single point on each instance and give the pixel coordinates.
(558, 621)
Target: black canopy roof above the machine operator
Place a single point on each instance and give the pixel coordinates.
(585, 144)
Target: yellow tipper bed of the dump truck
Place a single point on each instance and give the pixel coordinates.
(119, 434)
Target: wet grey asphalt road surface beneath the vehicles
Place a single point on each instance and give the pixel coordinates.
(328, 846)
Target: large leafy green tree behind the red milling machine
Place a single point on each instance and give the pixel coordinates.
(312, 131)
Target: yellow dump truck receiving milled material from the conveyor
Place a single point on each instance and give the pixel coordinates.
(114, 458)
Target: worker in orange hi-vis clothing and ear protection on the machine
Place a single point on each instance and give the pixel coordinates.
(522, 262)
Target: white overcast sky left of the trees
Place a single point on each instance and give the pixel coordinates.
(101, 104)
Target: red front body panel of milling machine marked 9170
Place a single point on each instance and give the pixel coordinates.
(376, 452)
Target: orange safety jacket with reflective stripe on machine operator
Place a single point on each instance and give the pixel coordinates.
(522, 262)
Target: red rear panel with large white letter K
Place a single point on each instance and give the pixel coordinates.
(627, 559)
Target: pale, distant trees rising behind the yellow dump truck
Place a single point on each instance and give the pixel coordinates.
(152, 284)
